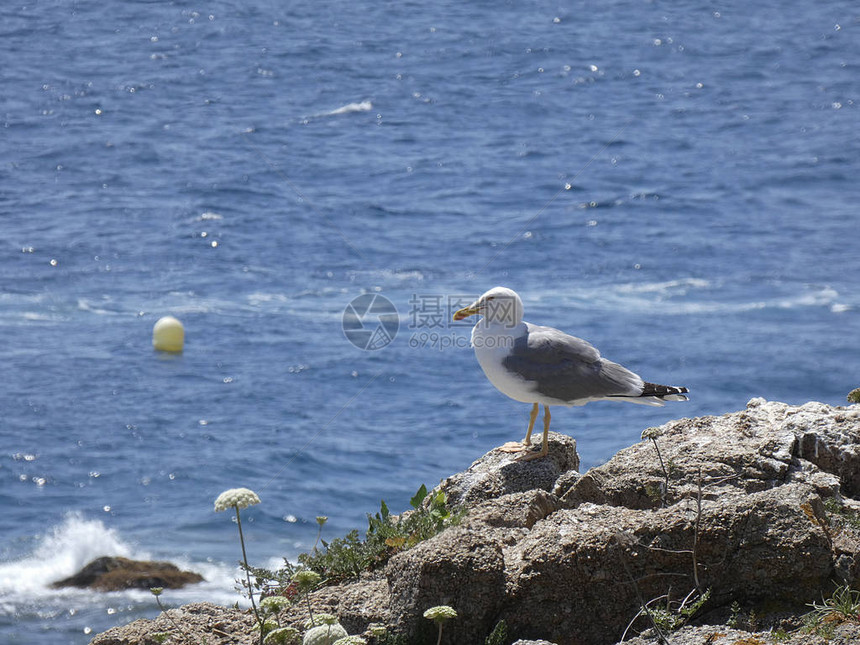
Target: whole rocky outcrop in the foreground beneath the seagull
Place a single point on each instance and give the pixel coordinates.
(744, 517)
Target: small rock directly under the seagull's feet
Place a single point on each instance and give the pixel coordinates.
(498, 473)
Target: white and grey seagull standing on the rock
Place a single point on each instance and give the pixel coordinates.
(535, 364)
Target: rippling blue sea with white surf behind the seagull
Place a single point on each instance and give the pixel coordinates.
(675, 182)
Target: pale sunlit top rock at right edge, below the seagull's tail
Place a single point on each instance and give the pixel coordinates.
(764, 446)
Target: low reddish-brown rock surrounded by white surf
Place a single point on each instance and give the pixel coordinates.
(115, 573)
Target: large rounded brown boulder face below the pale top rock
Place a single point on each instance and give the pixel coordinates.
(585, 567)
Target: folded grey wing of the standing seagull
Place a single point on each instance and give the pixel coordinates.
(568, 368)
